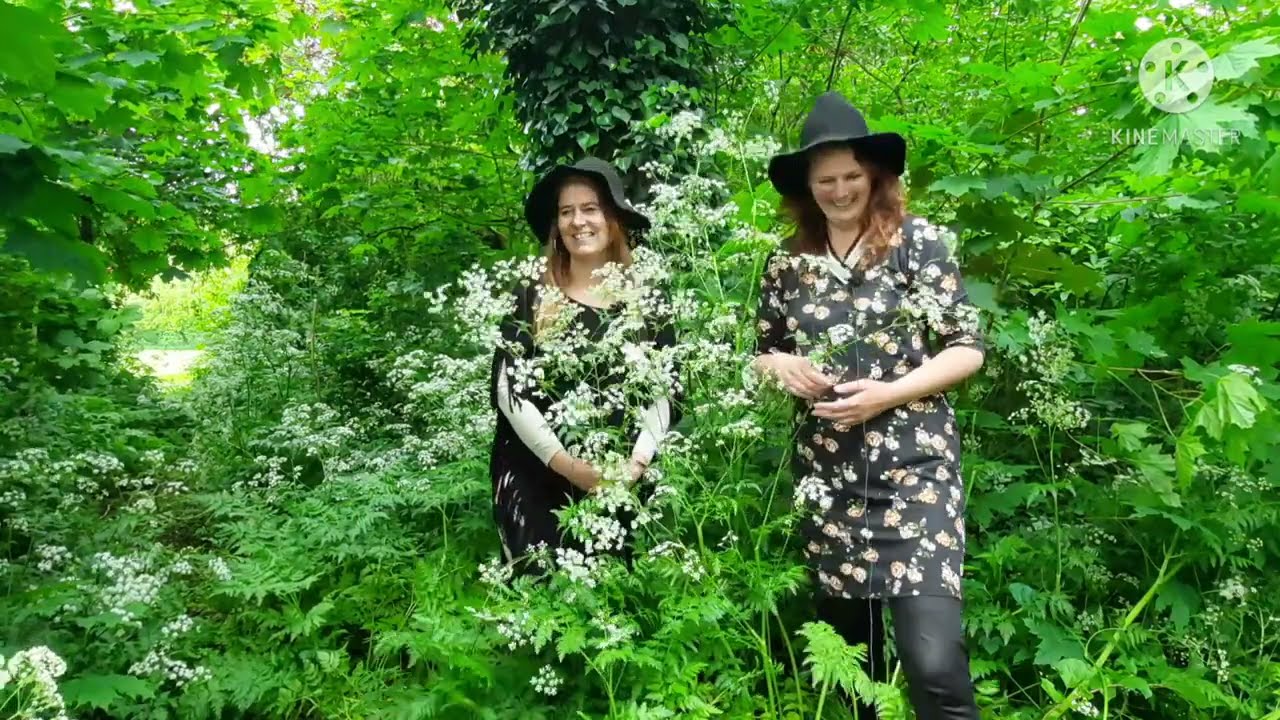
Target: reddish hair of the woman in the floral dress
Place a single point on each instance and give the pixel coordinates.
(885, 212)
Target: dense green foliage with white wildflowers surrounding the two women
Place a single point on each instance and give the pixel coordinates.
(303, 531)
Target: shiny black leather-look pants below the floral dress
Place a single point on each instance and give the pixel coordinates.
(931, 646)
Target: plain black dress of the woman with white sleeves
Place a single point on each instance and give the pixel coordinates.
(527, 493)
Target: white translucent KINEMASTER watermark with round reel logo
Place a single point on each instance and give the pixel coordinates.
(1177, 78)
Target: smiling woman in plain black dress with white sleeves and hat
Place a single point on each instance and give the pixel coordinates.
(582, 215)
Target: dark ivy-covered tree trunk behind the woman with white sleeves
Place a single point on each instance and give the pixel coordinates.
(584, 71)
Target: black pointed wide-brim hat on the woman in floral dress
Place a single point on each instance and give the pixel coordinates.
(834, 121)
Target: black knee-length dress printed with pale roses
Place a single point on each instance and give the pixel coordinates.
(884, 500)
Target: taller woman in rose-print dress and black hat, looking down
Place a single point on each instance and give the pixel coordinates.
(863, 316)
